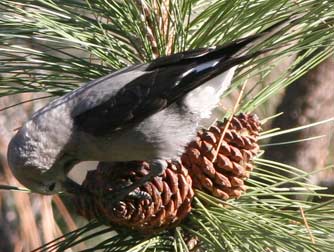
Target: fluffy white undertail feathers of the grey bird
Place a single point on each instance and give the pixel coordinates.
(206, 97)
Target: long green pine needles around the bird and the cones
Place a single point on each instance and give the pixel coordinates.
(54, 46)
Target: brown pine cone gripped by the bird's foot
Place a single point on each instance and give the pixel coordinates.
(171, 196)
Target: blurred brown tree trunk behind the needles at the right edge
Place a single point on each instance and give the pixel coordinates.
(308, 100)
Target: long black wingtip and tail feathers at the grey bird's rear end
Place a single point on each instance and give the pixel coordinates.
(210, 62)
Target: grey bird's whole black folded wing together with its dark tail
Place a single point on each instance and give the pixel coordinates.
(160, 83)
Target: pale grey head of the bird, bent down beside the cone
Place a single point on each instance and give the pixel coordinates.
(37, 167)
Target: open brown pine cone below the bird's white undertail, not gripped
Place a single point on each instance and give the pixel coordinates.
(223, 177)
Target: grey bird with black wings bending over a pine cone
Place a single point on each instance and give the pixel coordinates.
(147, 111)
